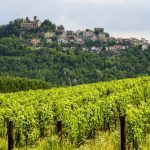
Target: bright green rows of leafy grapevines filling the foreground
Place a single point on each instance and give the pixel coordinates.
(78, 113)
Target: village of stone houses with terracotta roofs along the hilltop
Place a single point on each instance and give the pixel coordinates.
(94, 40)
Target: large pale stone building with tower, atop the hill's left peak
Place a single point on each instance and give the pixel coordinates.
(26, 24)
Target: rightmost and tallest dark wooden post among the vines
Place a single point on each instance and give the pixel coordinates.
(123, 132)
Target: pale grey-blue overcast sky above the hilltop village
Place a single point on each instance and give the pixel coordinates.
(121, 18)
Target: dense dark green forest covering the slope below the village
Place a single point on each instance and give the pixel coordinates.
(69, 67)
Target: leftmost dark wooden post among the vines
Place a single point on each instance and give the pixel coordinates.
(10, 134)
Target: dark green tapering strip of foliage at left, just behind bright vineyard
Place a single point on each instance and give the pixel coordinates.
(14, 84)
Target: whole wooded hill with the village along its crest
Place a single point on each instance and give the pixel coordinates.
(46, 51)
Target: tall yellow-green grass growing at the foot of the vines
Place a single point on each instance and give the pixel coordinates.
(103, 141)
